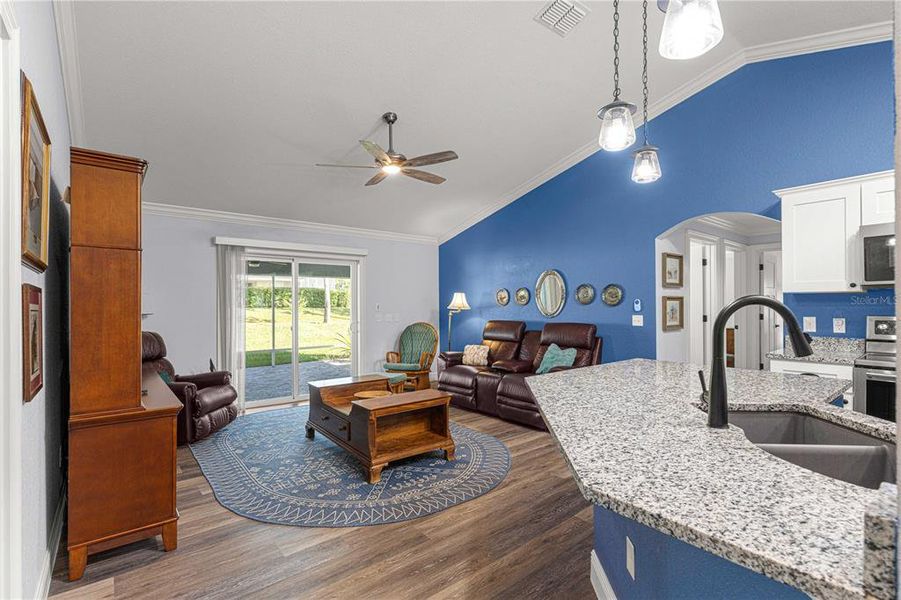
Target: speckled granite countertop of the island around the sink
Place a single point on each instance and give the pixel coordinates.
(638, 444)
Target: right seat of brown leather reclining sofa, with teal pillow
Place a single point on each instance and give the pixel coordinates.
(514, 399)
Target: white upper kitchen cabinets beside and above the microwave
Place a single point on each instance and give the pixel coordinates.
(820, 226)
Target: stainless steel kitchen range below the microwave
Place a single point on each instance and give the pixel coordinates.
(874, 372)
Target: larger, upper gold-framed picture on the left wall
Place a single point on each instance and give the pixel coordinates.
(35, 181)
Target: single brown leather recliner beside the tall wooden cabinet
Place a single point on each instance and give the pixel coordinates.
(208, 398)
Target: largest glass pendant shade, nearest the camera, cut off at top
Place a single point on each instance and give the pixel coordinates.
(691, 28)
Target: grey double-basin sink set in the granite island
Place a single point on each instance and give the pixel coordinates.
(820, 446)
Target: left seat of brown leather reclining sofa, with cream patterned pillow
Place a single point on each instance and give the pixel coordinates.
(460, 381)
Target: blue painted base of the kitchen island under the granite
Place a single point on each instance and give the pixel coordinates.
(667, 568)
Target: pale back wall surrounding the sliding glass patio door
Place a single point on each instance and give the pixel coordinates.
(179, 284)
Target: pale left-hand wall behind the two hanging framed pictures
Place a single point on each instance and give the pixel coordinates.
(43, 422)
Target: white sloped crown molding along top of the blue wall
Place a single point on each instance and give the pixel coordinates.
(834, 40)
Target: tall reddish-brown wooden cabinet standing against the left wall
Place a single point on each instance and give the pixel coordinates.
(122, 419)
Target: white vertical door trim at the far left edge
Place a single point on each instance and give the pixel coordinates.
(10, 309)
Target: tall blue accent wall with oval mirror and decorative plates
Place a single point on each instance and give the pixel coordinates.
(769, 125)
